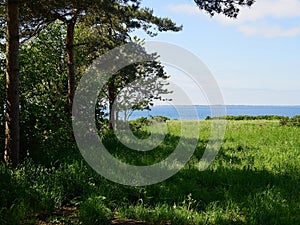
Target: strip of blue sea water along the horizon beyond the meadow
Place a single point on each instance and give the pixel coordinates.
(201, 112)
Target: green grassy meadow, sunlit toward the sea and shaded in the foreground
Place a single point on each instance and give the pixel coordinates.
(254, 179)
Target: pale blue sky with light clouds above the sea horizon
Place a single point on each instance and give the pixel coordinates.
(255, 58)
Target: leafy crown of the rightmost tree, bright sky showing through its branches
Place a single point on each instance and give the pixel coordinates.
(138, 85)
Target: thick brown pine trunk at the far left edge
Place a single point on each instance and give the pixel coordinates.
(12, 129)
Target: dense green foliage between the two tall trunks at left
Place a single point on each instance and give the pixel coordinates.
(45, 125)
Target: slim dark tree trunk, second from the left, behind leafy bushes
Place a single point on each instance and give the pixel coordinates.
(71, 64)
